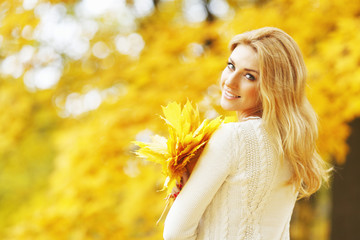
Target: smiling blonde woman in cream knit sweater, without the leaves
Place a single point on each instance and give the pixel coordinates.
(246, 182)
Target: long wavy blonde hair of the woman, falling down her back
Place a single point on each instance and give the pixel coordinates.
(286, 111)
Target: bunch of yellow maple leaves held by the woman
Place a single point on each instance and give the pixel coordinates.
(187, 138)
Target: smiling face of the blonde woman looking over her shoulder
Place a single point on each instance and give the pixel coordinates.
(240, 82)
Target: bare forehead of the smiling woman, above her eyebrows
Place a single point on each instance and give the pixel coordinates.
(245, 57)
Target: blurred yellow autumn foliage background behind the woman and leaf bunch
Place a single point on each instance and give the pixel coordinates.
(81, 79)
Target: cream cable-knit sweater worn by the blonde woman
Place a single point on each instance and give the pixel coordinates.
(237, 191)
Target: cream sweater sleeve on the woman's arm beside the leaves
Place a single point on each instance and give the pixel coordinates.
(211, 170)
